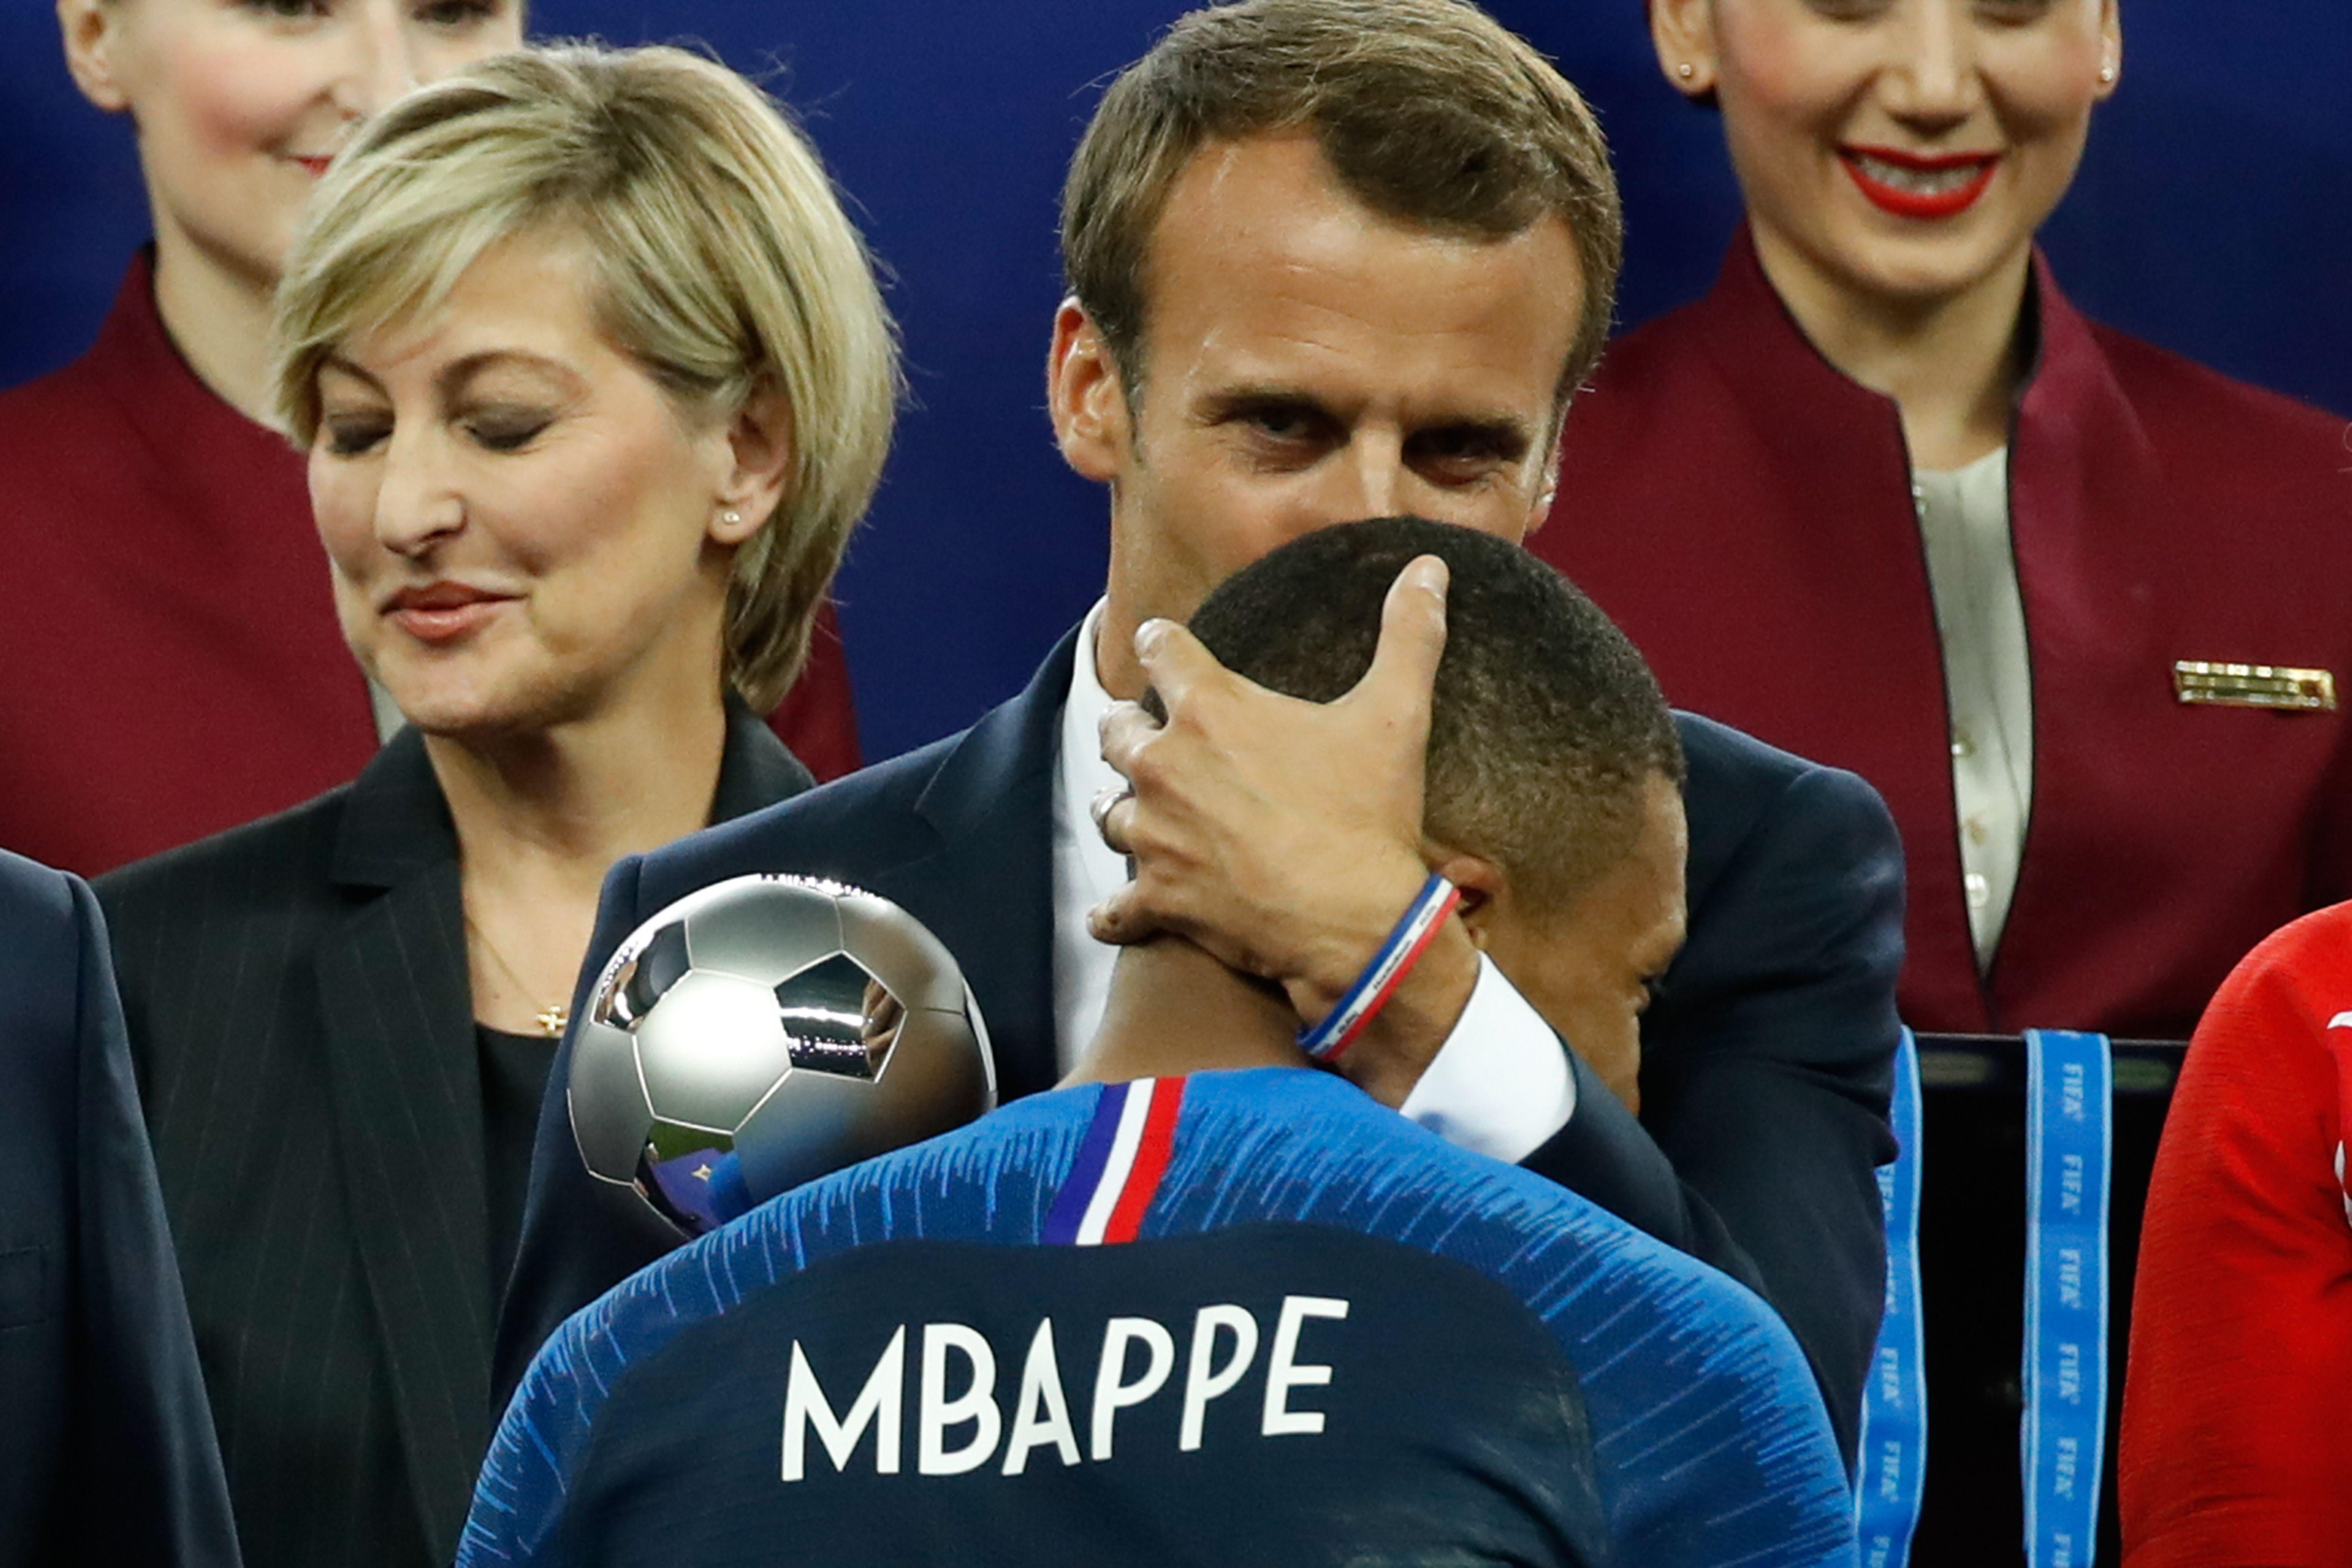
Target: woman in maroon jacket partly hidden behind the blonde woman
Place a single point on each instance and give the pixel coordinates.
(171, 662)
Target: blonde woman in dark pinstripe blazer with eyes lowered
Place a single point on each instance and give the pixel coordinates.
(594, 382)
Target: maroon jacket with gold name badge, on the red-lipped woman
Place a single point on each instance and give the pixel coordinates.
(1744, 511)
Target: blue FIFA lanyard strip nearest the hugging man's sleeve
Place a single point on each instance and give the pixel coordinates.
(1892, 1473)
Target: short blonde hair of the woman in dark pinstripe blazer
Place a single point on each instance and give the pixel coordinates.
(716, 253)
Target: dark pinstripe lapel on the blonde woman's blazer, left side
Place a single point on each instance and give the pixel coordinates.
(408, 1099)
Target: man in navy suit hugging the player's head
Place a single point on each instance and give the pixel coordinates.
(1382, 253)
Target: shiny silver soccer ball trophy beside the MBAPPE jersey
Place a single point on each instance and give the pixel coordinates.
(763, 1033)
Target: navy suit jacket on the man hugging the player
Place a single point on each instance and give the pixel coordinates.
(1765, 1059)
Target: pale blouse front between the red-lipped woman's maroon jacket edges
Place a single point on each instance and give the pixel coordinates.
(1972, 572)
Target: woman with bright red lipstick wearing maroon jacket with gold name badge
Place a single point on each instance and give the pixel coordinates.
(1887, 500)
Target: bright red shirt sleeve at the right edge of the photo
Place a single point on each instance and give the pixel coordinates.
(2240, 1383)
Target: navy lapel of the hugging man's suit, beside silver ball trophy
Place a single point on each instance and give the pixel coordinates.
(989, 890)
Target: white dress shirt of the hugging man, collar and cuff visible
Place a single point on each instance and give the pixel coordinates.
(1499, 1085)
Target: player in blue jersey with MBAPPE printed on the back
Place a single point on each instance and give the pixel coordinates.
(1210, 1304)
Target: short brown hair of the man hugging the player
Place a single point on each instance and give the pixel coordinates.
(1429, 112)
